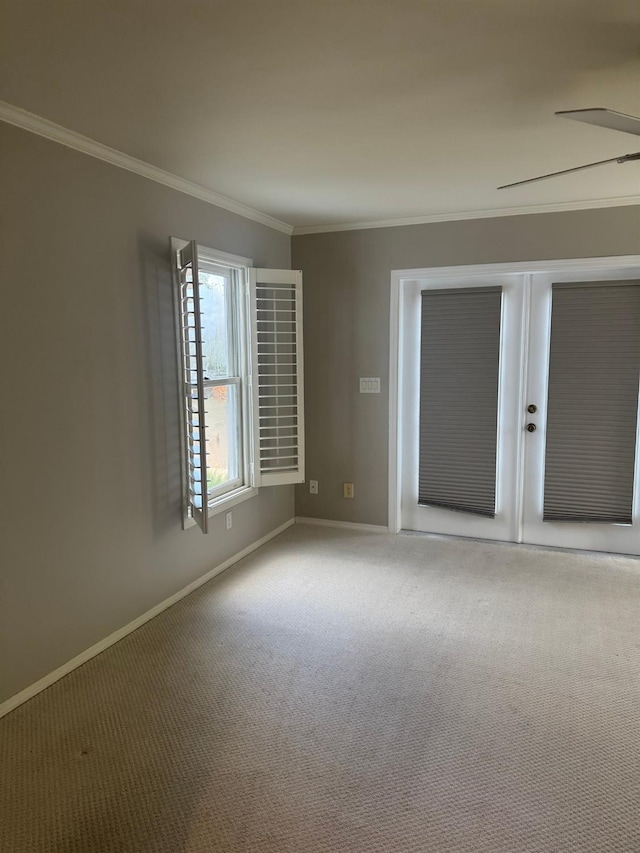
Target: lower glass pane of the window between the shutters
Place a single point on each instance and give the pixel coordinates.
(222, 434)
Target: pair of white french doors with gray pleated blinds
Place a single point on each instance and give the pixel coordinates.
(517, 404)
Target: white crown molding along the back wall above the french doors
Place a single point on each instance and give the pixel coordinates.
(489, 213)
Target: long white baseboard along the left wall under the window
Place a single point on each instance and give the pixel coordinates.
(94, 650)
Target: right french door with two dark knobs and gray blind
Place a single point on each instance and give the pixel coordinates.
(581, 473)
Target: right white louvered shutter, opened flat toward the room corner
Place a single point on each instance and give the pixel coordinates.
(277, 376)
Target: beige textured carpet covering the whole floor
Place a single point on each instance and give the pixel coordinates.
(341, 692)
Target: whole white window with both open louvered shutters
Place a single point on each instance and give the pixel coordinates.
(240, 352)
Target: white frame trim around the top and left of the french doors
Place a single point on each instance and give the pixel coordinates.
(400, 282)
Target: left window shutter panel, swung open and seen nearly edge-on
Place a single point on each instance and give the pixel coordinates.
(192, 378)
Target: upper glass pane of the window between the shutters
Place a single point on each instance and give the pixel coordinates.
(216, 311)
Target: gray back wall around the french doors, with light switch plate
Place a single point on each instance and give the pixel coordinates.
(346, 302)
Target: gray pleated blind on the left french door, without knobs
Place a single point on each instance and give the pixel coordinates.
(459, 372)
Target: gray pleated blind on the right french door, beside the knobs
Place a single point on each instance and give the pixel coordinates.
(594, 369)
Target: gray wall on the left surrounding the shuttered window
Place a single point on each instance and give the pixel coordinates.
(89, 456)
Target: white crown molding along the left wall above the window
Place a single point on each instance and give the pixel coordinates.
(56, 133)
